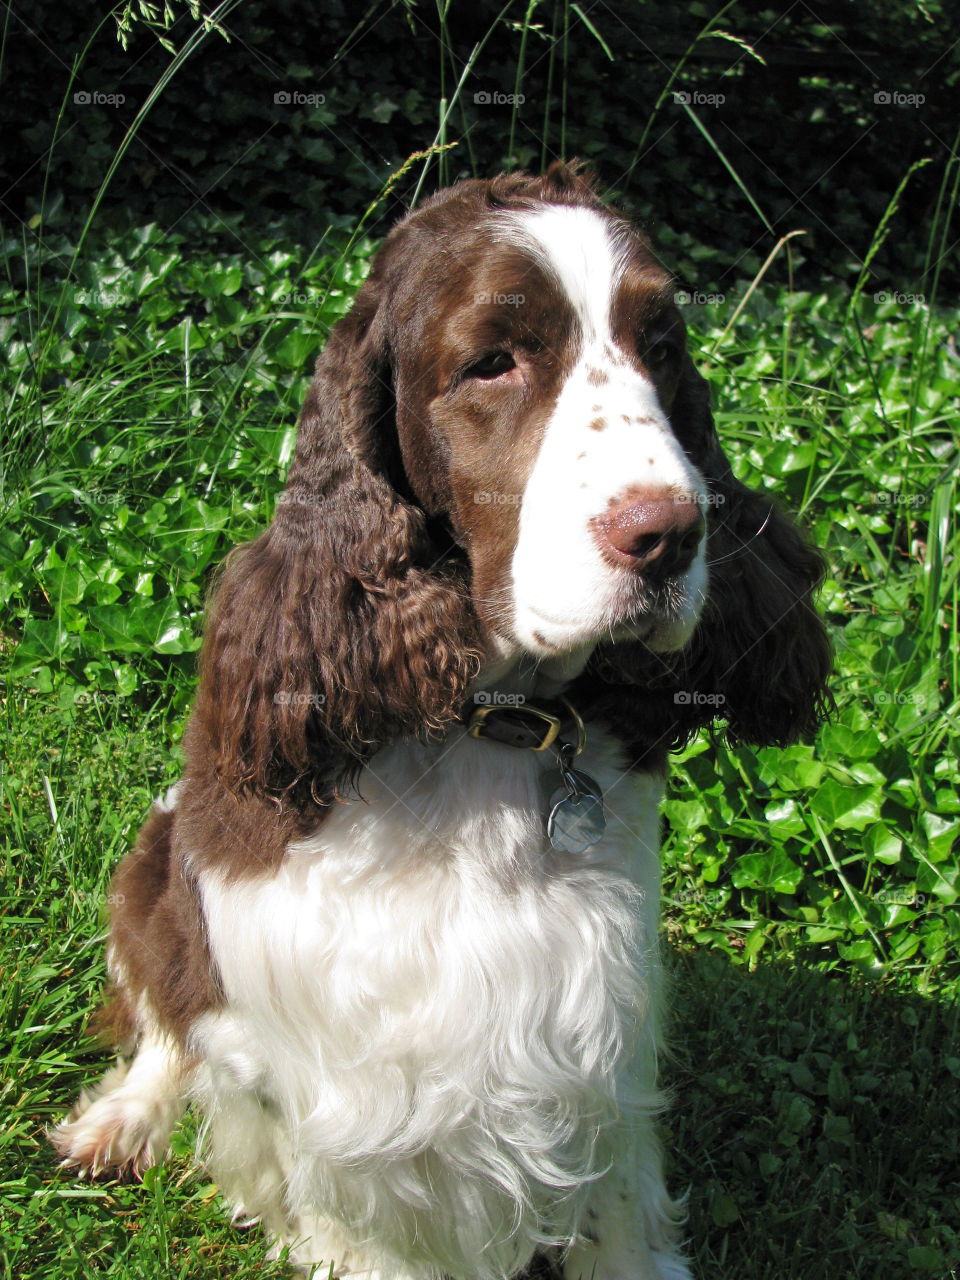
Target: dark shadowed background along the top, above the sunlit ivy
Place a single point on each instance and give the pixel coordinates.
(849, 95)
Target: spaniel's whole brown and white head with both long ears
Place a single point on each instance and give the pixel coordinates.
(508, 454)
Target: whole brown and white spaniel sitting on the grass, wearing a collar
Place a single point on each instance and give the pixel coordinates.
(395, 931)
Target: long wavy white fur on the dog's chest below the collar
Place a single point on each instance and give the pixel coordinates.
(432, 1003)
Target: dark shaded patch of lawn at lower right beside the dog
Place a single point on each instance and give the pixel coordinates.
(813, 1119)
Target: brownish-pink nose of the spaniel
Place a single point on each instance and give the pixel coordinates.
(659, 533)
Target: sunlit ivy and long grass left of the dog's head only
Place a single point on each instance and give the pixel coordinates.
(149, 433)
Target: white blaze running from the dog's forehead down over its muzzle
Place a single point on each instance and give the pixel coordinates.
(607, 436)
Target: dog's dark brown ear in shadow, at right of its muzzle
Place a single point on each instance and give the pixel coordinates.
(760, 659)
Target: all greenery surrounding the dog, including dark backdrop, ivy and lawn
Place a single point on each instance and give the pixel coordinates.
(159, 316)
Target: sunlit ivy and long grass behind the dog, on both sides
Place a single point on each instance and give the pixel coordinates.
(152, 429)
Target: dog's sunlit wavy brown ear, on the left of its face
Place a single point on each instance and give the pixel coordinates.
(336, 633)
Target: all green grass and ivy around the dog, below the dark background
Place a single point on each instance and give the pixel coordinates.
(150, 385)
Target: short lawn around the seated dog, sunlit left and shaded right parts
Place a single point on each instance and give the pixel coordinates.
(815, 1117)
